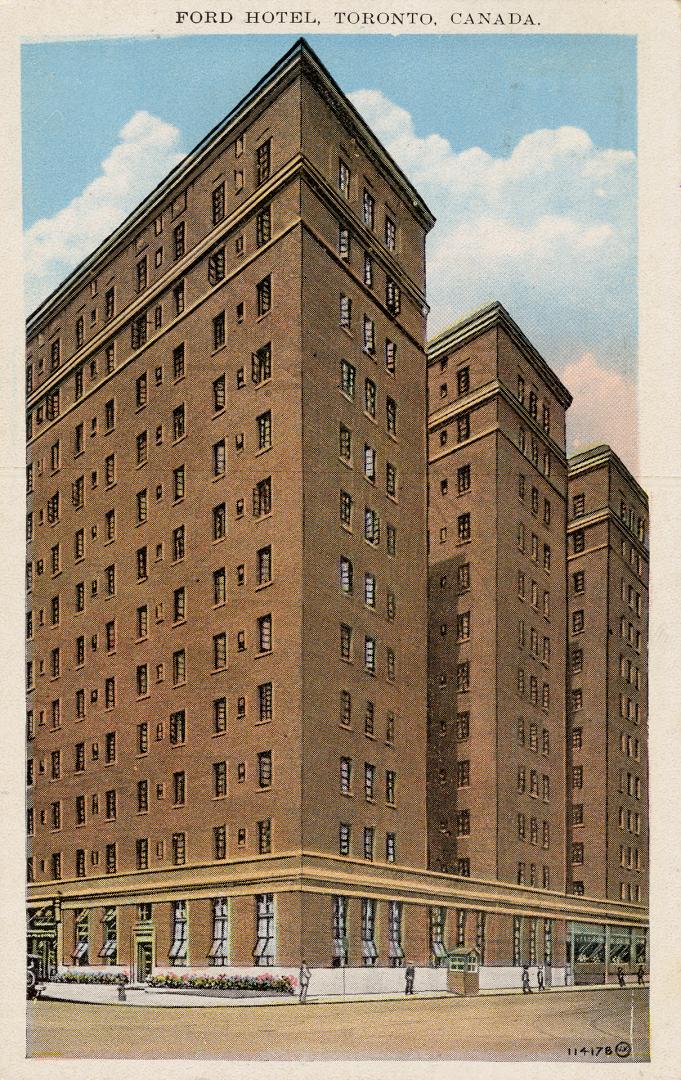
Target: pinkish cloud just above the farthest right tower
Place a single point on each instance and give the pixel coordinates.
(604, 411)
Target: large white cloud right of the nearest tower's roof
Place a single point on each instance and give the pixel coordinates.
(549, 231)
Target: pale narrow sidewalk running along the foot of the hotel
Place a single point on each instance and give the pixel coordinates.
(99, 995)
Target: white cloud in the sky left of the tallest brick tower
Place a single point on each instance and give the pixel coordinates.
(147, 150)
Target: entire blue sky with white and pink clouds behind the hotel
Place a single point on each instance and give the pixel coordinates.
(523, 146)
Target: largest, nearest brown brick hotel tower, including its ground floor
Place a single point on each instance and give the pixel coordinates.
(227, 573)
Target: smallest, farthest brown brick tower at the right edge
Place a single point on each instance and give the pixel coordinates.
(608, 566)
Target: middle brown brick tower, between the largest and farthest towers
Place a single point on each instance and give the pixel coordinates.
(497, 677)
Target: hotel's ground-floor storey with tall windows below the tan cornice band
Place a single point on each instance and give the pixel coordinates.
(355, 936)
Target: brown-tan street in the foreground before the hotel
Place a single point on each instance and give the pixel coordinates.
(540, 1028)
